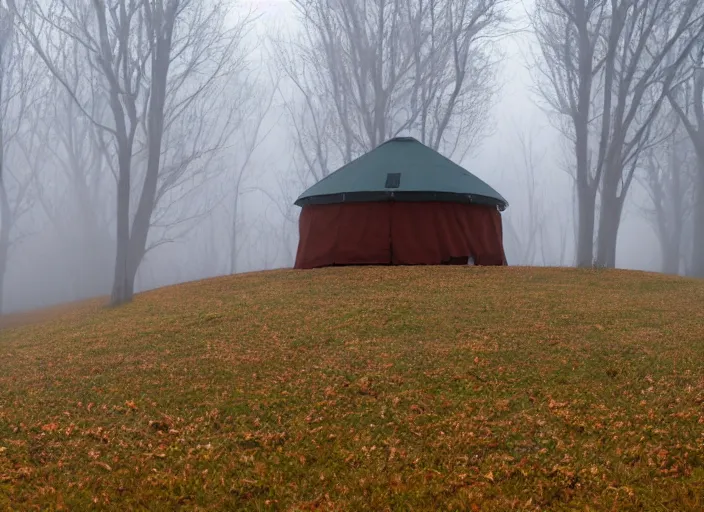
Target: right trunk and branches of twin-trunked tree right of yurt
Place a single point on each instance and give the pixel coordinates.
(648, 44)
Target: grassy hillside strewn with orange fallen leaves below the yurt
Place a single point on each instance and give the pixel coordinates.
(363, 389)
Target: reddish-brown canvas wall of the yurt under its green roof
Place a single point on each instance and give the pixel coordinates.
(401, 233)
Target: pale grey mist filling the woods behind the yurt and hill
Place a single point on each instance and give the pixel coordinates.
(254, 114)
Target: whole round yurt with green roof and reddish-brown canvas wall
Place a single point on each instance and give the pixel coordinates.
(400, 204)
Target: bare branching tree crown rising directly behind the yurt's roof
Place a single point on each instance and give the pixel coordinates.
(366, 71)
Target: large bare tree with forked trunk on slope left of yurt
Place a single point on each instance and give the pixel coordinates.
(160, 63)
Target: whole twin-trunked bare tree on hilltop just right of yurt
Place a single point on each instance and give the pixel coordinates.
(606, 68)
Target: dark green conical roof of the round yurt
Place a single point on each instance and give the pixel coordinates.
(401, 169)
